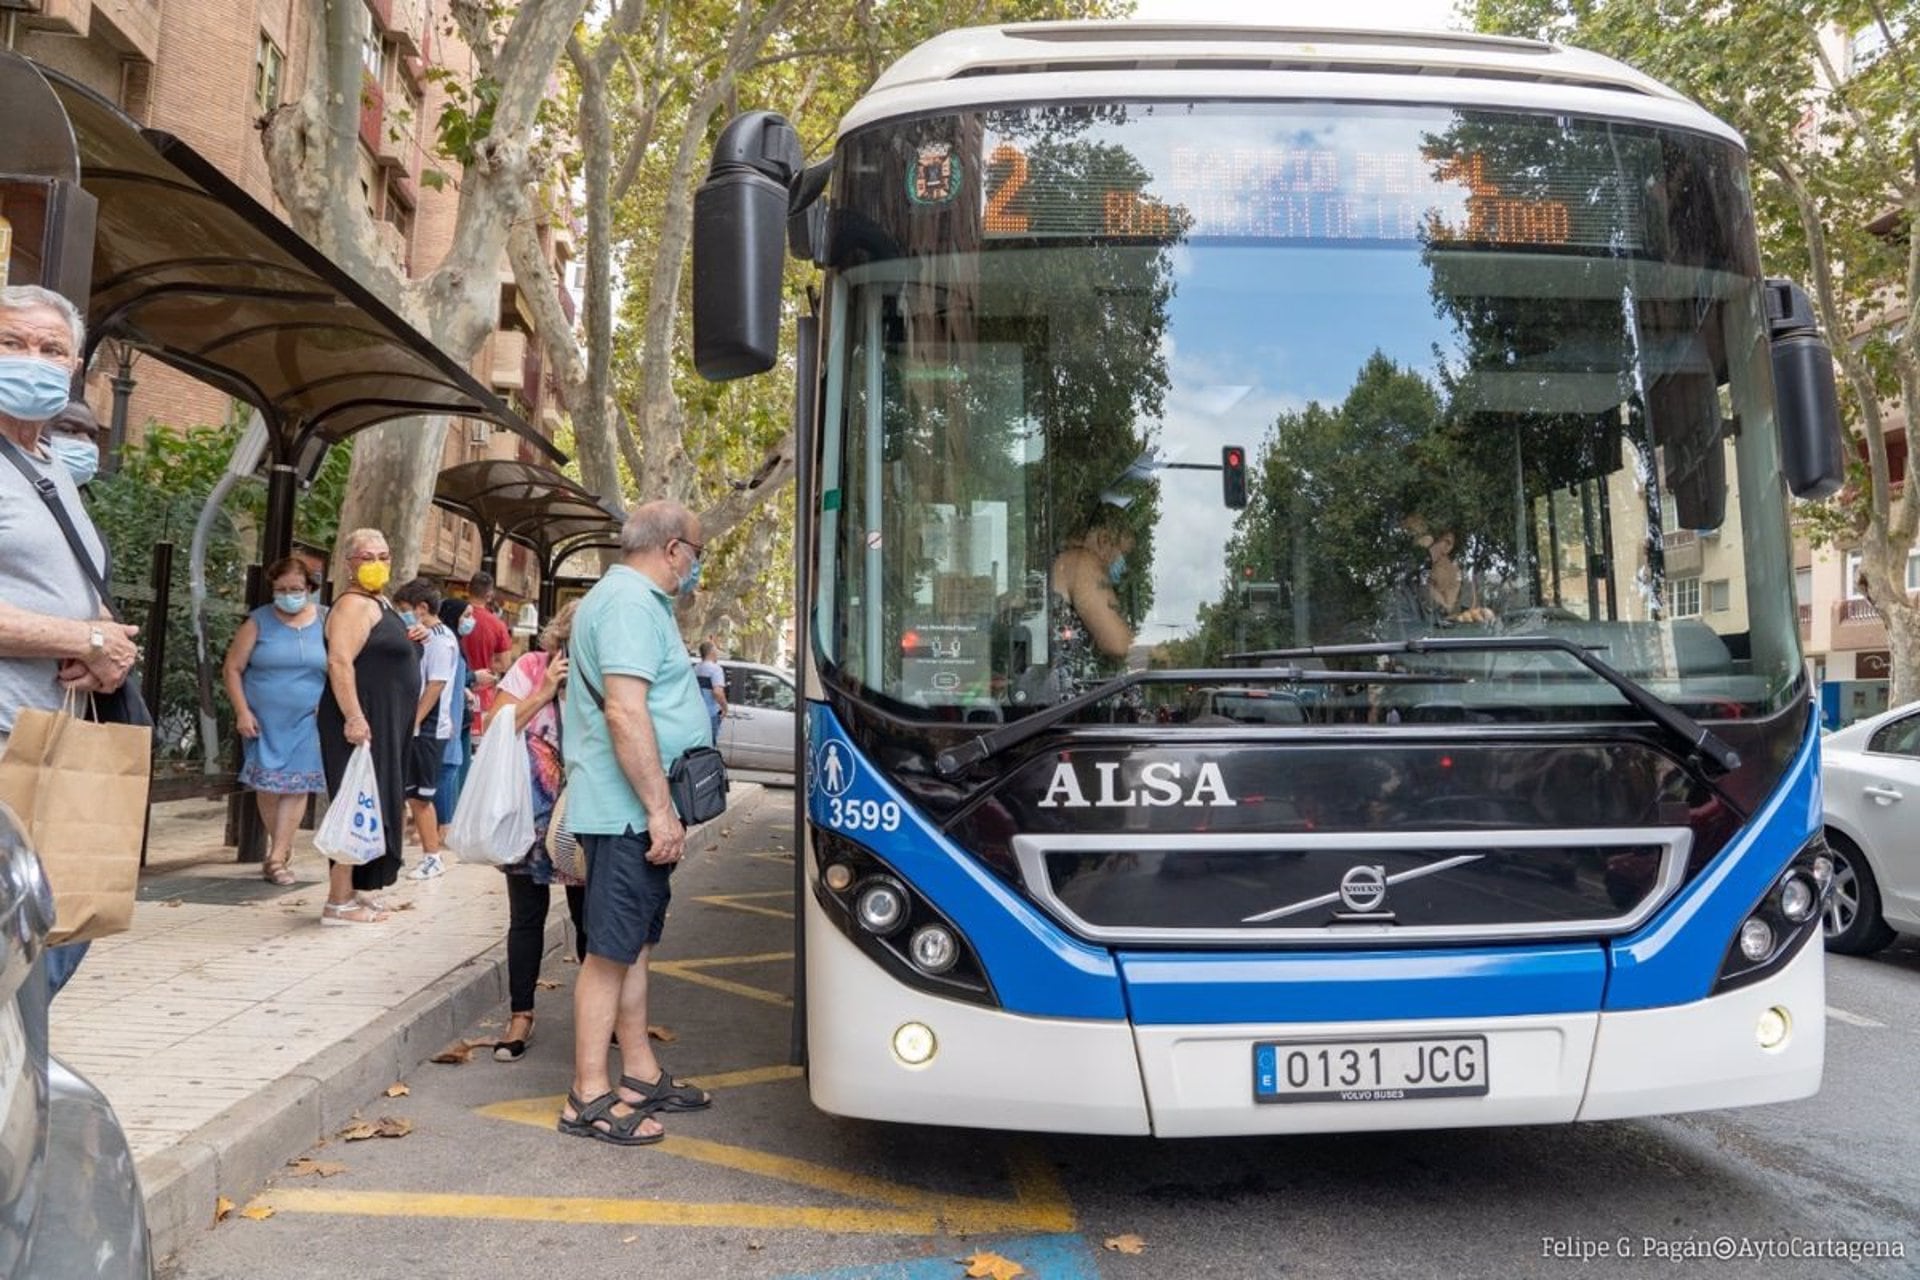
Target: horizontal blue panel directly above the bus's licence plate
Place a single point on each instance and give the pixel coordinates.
(1349, 987)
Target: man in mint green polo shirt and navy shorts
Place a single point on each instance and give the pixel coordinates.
(633, 709)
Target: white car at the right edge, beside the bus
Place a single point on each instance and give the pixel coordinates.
(1871, 774)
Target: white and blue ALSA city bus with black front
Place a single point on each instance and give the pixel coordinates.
(1297, 605)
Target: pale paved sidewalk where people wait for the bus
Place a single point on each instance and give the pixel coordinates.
(231, 1030)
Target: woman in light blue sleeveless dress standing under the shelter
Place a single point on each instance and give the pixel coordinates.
(276, 673)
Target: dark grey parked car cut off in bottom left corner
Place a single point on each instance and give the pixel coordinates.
(70, 1198)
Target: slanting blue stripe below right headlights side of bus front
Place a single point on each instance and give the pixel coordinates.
(1677, 957)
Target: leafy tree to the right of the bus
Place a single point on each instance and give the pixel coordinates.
(1836, 162)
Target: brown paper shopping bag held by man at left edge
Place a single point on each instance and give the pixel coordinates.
(80, 788)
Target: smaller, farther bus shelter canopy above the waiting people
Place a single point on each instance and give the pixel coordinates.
(531, 506)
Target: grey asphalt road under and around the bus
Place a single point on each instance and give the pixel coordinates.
(763, 1187)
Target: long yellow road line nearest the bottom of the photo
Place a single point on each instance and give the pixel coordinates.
(1009, 1218)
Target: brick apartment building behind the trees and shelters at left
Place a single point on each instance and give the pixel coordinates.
(208, 72)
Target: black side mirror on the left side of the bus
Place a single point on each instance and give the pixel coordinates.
(740, 243)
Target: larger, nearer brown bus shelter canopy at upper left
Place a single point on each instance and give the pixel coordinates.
(197, 273)
